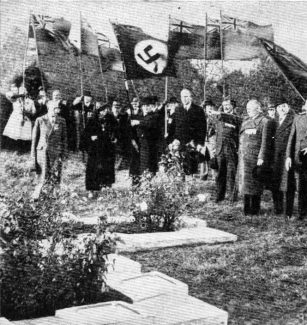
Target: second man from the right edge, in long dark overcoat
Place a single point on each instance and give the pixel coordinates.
(283, 183)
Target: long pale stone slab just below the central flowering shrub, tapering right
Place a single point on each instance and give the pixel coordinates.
(190, 236)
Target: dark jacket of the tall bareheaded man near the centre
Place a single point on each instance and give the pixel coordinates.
(190, 125)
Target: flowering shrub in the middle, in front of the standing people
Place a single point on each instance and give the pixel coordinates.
(158, 202)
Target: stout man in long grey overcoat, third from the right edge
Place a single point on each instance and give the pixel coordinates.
(255, 144)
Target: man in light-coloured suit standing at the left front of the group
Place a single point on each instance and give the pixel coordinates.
(49, 147)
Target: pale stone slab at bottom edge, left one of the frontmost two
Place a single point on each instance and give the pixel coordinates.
(110, 313)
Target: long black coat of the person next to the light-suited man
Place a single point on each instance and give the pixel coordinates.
(98, 141)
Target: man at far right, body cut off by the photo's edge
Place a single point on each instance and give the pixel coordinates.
(297, 158)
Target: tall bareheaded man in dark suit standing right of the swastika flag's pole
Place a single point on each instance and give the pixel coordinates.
(189, 125)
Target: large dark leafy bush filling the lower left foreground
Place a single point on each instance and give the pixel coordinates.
(43, 267)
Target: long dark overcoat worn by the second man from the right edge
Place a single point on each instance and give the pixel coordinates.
(282, 180)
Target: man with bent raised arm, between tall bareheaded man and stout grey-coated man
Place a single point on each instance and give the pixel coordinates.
(227, 129)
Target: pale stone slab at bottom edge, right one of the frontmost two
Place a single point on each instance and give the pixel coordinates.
(191, 311)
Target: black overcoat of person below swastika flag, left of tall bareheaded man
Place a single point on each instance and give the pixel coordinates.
(148, 137)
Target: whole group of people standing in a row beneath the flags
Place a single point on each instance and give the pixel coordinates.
(263, 149)
